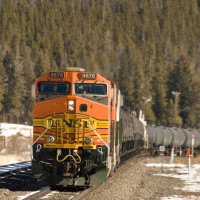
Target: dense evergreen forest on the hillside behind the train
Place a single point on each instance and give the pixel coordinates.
(150, 48)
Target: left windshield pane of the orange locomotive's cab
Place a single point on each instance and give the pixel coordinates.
(54, 88)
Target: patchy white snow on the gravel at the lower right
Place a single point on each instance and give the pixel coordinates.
(189, 175)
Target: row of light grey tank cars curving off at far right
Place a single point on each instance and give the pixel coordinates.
(179, 138)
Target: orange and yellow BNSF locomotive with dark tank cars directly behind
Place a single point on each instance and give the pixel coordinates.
(80, 132)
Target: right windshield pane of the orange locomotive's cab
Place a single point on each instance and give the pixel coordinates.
(91, 88)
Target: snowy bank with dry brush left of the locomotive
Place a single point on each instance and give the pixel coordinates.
(15, 143)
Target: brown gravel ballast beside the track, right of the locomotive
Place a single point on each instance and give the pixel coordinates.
(135, 181)
